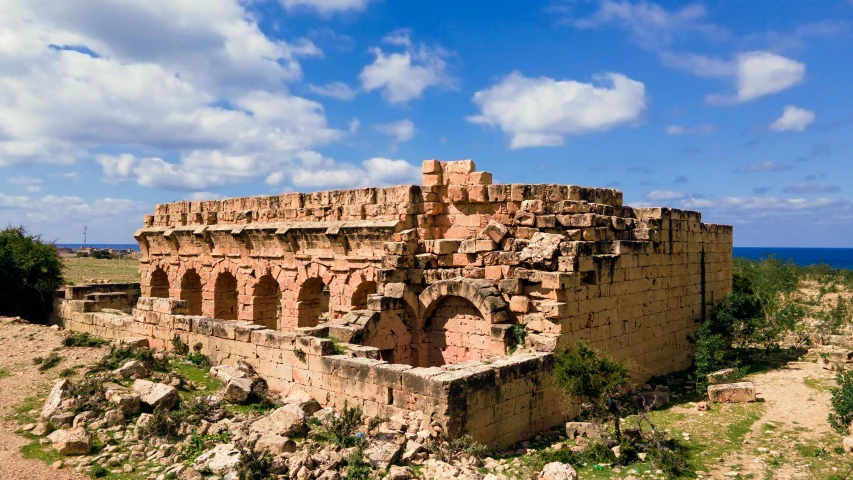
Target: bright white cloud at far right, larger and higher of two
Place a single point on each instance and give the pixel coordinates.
(759, 74)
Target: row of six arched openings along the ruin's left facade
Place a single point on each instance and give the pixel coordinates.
(267, 303)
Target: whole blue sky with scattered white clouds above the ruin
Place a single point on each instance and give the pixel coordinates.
(741, 110)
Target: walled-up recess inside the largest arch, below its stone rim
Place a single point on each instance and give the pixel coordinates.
(455, 332)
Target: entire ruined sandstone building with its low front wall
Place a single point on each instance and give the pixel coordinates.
(446, 298)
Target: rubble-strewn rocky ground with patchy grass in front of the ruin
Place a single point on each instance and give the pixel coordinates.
(138, 414)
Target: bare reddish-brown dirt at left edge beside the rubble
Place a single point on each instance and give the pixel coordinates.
(19, 344)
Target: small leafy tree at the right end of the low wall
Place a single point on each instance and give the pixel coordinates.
(596, 382)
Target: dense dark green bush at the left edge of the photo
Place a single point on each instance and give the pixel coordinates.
(30, 273)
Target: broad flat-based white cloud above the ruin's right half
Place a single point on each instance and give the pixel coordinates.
(541, 111)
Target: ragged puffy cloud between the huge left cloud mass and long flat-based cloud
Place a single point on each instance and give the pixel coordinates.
(403, 76)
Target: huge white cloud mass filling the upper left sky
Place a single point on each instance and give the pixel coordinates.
(195, 78)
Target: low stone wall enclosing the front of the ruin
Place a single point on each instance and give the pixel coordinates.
(498, 403)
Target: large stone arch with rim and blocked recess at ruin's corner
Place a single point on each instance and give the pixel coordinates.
(457, 317)
